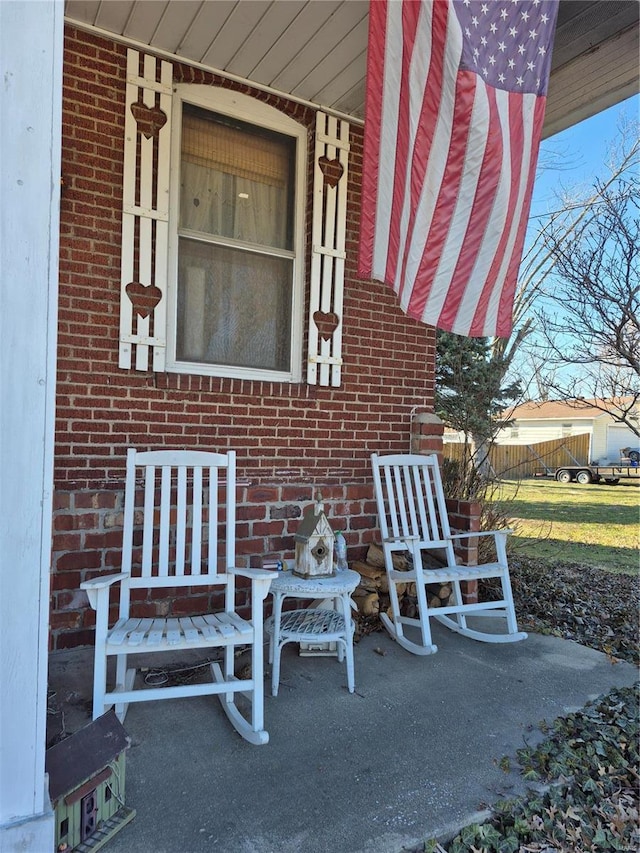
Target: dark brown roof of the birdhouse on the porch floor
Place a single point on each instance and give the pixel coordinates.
(84, 753)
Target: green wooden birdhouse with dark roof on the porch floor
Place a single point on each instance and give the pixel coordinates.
(86, 785)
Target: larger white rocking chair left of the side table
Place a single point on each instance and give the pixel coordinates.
(179, 533)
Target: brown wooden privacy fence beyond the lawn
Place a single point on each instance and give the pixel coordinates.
(515, 461)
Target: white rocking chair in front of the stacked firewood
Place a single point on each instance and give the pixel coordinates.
(413, 517)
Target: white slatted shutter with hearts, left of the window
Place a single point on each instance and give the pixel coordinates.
(145, 212)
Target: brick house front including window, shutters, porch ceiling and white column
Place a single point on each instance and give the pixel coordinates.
(215, 305)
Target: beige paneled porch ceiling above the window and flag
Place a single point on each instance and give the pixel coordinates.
(315, 50)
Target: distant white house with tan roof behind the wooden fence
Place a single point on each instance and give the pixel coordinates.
(535, 422)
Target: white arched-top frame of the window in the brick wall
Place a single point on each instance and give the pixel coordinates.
(245, 108)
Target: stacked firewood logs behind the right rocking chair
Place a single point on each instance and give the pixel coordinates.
(372, 593)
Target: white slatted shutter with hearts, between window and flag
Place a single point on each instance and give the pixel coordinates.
(328, 250)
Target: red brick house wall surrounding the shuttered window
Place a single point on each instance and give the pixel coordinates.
(291, 439)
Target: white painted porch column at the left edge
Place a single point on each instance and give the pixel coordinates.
(31, 43)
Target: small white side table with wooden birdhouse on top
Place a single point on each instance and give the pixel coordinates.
(312, 624)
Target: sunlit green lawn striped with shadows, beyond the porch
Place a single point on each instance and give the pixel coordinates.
(596, 525)
